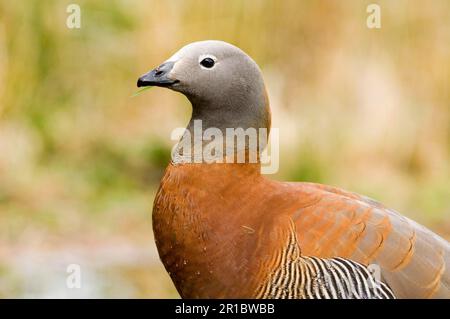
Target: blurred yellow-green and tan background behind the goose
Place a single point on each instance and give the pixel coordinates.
(367, 110)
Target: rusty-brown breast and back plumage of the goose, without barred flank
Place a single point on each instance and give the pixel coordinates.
(218, 227)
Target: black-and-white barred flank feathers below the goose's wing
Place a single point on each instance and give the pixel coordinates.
(301, 277)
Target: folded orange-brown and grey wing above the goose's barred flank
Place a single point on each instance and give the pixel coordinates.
(414, 261)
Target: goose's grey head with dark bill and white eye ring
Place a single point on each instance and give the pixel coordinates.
(223, 84)
